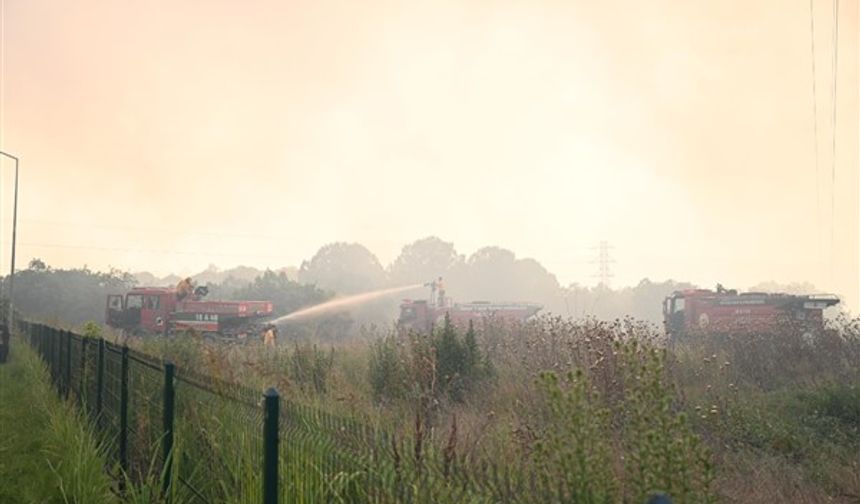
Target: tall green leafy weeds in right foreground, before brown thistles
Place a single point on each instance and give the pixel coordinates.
(656, 451)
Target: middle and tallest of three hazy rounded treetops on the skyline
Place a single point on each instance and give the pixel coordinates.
(424, 260)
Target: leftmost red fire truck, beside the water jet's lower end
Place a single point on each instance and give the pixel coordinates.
(160, 310)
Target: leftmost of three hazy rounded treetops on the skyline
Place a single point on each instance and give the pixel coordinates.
(346, 268)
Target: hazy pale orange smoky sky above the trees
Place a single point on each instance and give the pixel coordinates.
(167, 135)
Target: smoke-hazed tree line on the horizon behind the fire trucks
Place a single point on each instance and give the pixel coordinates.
(490, 274)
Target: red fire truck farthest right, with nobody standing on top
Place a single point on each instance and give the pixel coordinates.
(727, 311)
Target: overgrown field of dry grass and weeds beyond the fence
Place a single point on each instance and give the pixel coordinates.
(597, 411)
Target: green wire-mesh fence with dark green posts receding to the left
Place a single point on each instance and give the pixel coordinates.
(196, 438)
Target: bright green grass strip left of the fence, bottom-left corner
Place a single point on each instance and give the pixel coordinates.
(48, 453)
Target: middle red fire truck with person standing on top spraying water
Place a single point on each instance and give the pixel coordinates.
(422, 315)
